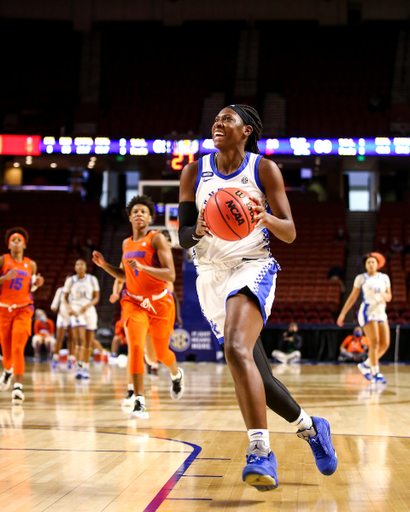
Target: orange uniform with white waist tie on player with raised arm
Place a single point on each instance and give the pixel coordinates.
(147, 305)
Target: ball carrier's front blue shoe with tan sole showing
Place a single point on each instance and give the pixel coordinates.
(260, 472)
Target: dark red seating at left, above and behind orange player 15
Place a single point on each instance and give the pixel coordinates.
(58, 226)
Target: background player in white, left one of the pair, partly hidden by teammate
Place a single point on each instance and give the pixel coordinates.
(59, 306)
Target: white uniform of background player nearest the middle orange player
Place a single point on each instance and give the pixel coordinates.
(82, 293)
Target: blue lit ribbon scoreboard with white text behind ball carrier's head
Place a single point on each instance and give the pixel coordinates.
(296, 146)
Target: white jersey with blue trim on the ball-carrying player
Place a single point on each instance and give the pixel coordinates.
(214, 251)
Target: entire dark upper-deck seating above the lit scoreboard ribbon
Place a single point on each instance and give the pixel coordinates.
(331, 90)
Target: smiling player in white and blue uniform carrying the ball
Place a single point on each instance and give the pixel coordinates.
(236, 284)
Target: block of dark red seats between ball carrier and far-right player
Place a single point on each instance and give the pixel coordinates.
(304, 293)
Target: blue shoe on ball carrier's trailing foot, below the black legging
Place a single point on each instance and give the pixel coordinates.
(321, 445)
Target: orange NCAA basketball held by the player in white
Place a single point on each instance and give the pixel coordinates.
(229, 214)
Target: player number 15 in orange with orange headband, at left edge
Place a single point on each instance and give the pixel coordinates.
(18, 279)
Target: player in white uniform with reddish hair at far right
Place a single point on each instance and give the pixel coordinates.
(376, 290)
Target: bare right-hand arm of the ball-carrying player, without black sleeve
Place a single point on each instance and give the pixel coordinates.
(280, 222)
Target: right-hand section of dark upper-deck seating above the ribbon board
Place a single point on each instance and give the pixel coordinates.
(332, 89)
